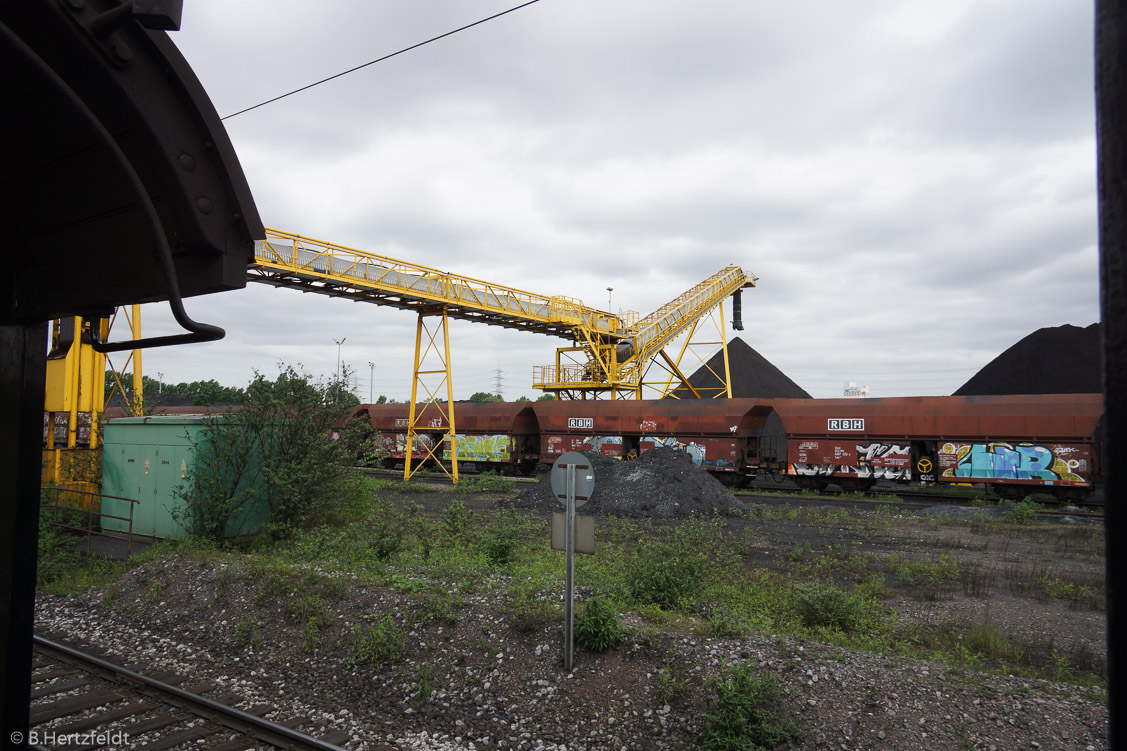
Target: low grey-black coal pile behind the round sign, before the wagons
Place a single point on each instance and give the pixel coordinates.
(662, 483)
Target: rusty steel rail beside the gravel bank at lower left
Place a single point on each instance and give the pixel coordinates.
(230, 718)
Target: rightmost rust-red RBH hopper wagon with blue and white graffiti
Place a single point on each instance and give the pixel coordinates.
(1014, 445)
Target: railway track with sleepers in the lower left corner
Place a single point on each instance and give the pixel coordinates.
(83, 701)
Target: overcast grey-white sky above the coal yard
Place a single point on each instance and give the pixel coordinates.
(913, 183)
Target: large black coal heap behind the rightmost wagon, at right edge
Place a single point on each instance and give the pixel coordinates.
(1052, 360)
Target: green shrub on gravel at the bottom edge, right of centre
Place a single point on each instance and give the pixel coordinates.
(743, 713)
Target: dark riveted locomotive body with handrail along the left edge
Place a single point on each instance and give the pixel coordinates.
(119, 187)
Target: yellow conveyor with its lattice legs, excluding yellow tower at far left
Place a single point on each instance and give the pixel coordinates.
(610, 355)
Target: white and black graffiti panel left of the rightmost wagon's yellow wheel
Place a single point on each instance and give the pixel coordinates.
(877, 461)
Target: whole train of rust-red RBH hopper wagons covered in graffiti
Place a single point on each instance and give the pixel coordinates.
(1014, 445)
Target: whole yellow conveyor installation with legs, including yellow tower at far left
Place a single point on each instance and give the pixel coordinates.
(610, 355)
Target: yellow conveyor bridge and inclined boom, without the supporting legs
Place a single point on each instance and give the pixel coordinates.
(618, 348)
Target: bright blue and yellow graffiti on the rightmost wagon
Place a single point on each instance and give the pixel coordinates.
(1048, 464)
